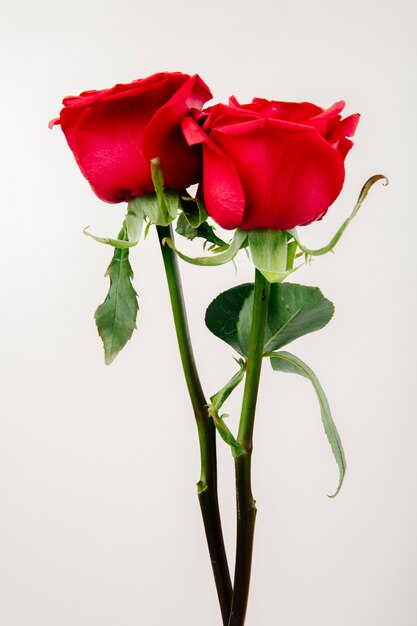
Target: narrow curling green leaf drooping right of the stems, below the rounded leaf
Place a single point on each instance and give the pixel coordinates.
(286, 362)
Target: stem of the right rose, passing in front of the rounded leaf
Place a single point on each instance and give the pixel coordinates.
(245, 504)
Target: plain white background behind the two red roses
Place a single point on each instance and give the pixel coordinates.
(99, 521)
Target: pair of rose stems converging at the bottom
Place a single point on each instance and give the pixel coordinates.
(232, 600)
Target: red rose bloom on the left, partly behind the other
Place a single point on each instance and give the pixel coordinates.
(114, 133)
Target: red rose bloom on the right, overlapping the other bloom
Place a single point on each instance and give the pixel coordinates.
(271, 164)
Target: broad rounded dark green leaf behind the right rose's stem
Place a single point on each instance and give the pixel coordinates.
(294, 310)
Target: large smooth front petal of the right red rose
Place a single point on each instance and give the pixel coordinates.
(291, 175)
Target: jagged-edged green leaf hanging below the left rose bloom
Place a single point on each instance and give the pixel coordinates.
(116, 316)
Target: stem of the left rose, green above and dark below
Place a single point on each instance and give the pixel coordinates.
(207, 485)
